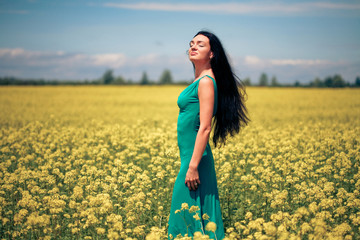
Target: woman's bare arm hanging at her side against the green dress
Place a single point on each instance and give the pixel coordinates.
(206, 101)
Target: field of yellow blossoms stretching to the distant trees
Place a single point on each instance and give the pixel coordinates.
(99, 162)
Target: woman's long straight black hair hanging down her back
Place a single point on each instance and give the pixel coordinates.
(231, 112)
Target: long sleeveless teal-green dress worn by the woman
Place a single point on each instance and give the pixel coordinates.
(205, 198)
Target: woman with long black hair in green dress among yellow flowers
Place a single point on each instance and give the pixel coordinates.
(195, 199)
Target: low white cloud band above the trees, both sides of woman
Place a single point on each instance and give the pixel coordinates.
(23, 63)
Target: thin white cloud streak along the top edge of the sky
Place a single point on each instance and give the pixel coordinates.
(266, 7)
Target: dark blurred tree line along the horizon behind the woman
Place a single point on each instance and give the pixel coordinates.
(108, 78)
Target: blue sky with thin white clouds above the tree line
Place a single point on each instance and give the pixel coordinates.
(78, 39)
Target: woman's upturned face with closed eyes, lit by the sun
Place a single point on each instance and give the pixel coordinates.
(200, 49)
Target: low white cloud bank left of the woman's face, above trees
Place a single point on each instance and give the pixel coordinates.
(23, 63)
